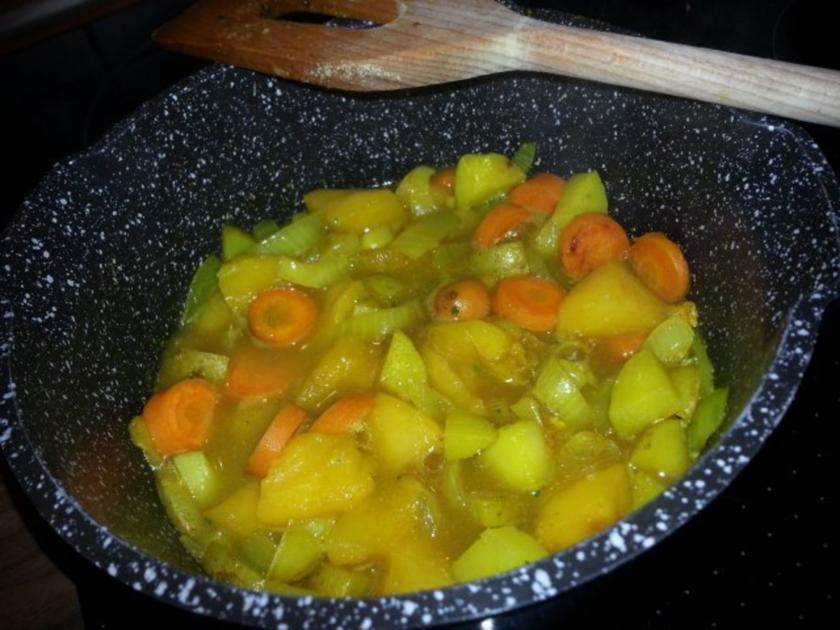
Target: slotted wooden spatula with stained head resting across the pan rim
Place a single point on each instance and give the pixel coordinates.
(425, 42)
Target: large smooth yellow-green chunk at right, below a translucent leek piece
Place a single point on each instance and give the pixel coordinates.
(642, 394)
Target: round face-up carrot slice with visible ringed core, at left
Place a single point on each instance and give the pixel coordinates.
(282, 317)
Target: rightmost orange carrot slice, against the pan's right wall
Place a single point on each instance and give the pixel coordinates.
(658, 261)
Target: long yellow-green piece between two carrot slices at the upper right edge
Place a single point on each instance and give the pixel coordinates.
(584, 192)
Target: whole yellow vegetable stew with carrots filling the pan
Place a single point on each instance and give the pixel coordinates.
(414, 385)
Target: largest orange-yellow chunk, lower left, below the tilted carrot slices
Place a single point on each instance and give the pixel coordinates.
(316, 475)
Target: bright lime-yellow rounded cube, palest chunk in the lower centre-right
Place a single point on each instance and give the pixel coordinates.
(519, 458)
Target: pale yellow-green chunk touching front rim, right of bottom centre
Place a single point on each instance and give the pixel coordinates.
(496, 551)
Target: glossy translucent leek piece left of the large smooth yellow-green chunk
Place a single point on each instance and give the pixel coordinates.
(558, 387)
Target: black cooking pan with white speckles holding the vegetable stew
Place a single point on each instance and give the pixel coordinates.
(96, 264)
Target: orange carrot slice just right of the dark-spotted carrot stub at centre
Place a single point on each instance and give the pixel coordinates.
(528, 301)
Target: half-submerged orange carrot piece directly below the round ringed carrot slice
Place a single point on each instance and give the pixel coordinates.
(258, 372)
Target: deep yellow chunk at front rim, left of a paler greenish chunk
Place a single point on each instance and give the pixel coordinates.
(416, 566)
